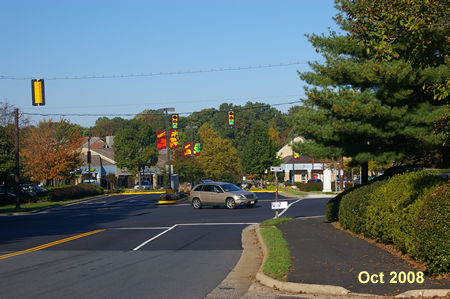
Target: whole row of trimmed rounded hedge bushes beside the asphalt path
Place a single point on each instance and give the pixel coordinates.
(410, 211)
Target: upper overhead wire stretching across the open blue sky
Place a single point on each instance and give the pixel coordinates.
(214, 70)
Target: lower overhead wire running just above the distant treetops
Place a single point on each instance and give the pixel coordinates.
(152, 113)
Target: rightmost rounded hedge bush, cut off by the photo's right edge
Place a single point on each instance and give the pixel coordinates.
(432, 230)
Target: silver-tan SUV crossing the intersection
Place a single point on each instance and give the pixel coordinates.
(218, 194)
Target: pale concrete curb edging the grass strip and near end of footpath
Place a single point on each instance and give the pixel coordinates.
(317, 289)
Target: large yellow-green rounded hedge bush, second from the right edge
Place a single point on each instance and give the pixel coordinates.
(390, 216)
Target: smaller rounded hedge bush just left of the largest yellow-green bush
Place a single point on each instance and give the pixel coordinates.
(353, 205)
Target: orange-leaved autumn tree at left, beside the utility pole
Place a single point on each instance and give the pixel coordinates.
(51, 150)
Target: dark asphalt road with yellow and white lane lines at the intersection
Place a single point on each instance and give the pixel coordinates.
(127, 246)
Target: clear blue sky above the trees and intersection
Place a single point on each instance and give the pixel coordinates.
(55, 39)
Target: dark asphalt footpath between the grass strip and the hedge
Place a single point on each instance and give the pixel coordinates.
(324, 255)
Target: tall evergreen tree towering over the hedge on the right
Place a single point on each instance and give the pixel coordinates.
(369, 99)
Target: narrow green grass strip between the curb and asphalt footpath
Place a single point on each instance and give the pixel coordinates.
(278, 259)
